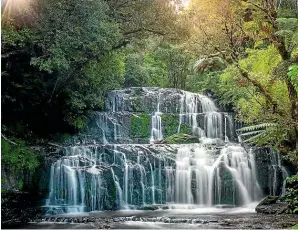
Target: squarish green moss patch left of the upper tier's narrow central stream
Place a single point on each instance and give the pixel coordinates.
(140, 125)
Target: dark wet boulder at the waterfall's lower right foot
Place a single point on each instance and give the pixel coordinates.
(271, 205)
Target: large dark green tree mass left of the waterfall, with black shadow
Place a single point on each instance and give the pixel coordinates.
(61, 67)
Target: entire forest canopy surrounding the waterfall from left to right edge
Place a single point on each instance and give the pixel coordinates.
(60, 57)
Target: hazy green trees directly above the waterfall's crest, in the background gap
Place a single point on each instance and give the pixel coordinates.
(162, 65)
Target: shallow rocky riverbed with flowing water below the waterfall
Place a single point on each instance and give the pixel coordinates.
(203, 218)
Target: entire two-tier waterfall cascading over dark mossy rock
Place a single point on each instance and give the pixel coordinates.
(115, 171)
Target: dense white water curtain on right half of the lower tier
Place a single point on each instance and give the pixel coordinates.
(197, 175)
